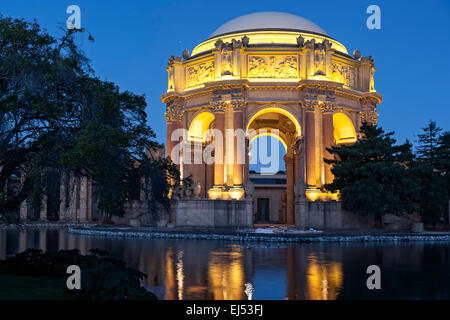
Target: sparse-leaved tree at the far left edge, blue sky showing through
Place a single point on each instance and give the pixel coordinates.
(38, 81)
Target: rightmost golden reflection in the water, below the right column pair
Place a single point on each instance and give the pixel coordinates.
(324, 280)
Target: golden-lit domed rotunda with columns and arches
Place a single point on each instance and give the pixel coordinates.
(267, 71)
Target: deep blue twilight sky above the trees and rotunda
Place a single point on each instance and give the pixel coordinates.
(134, 39)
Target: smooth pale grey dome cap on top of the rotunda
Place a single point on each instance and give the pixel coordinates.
(268, 21)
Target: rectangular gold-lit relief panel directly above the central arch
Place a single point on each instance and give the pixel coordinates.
(272, 67)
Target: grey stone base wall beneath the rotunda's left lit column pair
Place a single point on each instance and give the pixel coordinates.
(213, 213)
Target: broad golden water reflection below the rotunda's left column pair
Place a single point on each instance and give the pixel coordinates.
(226, 275)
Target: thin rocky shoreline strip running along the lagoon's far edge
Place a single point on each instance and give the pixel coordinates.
(275, 234)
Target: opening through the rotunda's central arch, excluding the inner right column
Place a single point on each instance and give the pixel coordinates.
(271, 132)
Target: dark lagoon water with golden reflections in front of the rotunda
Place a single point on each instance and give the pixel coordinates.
(201, 269)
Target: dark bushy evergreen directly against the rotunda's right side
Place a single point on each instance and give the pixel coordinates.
(372, 174)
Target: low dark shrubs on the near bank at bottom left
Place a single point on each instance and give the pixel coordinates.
(102, 277)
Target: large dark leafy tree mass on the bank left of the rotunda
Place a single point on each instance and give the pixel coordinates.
(55, 113)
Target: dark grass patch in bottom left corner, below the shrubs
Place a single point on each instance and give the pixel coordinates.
(13, 287)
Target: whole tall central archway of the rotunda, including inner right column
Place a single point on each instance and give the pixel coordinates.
(274, 188)
